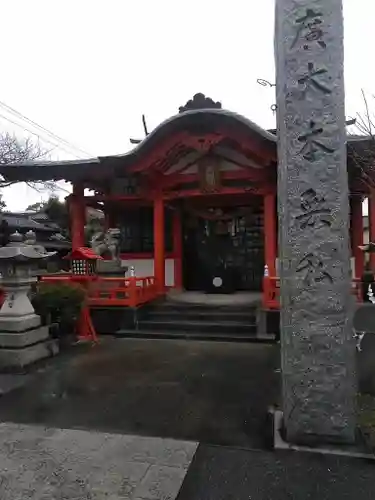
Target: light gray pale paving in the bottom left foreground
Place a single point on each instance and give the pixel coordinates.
(38, 463)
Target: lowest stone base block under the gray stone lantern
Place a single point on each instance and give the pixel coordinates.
(18, 358)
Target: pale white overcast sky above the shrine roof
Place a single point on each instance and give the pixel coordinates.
(88, 69)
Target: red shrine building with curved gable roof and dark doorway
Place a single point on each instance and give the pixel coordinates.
(196, 202)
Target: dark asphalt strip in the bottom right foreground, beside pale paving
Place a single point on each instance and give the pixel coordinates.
(234, 474)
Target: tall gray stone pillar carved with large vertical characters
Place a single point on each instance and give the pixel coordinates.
(318, 351)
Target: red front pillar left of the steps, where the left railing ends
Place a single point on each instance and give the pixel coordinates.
(159, 246)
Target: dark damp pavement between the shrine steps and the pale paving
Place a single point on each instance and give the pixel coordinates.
(216, 393)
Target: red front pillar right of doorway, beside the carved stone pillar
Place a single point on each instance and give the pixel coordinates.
(270, 233)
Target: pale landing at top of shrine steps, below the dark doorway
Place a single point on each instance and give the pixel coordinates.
(216, 299)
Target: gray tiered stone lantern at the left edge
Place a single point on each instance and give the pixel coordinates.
(22, 338)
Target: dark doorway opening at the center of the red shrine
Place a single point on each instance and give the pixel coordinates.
(224, 250)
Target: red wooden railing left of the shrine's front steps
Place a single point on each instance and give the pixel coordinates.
(105, 291)
